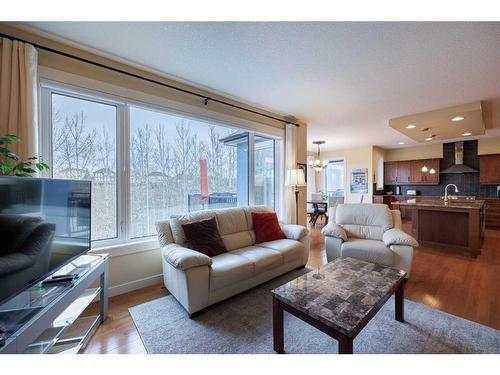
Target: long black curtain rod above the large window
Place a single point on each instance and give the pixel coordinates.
(185, 91)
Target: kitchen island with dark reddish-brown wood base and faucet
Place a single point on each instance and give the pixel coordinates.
(453, 225)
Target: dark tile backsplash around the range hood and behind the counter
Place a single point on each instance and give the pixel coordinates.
(467, 183)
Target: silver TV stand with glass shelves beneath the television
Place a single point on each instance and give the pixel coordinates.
(52, 318)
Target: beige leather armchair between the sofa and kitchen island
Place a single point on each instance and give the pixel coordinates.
(370, 232)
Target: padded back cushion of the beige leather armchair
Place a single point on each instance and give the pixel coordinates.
(377, 215)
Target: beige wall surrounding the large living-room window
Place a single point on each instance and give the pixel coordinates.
(133, 269)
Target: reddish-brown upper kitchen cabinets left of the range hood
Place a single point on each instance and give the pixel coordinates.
(410, 172)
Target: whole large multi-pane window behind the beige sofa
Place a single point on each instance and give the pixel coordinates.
(147, 164)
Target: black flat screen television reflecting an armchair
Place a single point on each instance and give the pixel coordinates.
(44, 224)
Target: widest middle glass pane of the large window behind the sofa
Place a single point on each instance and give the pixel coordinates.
(179, 164)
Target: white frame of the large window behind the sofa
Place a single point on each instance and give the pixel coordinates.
(123, 206)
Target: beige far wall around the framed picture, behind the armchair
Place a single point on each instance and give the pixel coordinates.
(355, 158)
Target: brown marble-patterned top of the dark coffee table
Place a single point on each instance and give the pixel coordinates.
(344, 294)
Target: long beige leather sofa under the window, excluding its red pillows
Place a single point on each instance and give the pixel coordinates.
(198, 281)
